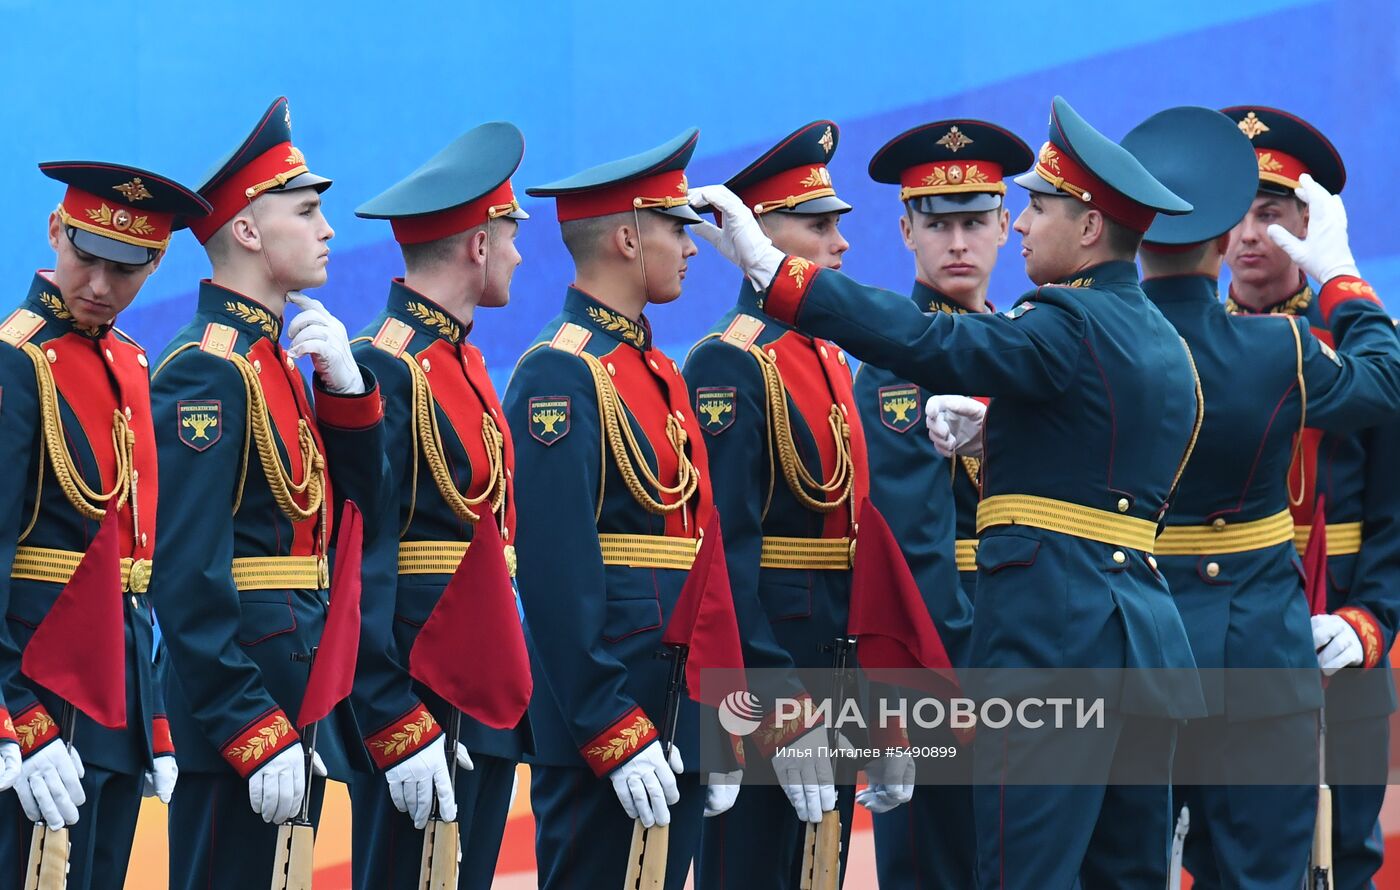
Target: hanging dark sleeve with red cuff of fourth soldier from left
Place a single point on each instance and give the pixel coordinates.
(552, 409)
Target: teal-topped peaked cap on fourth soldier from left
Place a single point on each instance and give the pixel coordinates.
(654, 180)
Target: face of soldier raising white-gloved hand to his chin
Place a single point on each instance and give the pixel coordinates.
(295, 237)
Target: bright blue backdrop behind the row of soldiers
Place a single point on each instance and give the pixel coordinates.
(377, 89)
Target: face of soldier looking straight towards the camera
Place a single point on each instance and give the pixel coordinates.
(955, 253)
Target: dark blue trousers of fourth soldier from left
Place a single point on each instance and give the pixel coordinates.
(583, 835)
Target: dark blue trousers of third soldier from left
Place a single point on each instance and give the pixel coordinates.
(387, 847)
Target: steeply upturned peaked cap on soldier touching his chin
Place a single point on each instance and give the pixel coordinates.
(265, 162)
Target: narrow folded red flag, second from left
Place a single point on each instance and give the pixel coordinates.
(332, 674)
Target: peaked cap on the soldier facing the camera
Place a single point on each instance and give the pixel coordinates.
(953, 166)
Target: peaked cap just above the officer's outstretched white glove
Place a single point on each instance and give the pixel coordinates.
(792, 177)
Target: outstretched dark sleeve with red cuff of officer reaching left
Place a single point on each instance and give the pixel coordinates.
(1028, 353)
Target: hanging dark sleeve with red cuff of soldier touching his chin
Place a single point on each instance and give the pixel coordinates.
(192, 581)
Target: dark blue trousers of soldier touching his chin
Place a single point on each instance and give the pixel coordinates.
(218, 842)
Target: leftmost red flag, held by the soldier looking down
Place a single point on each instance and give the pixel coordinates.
(79, 651)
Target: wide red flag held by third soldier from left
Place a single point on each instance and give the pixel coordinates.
(472, 649)
